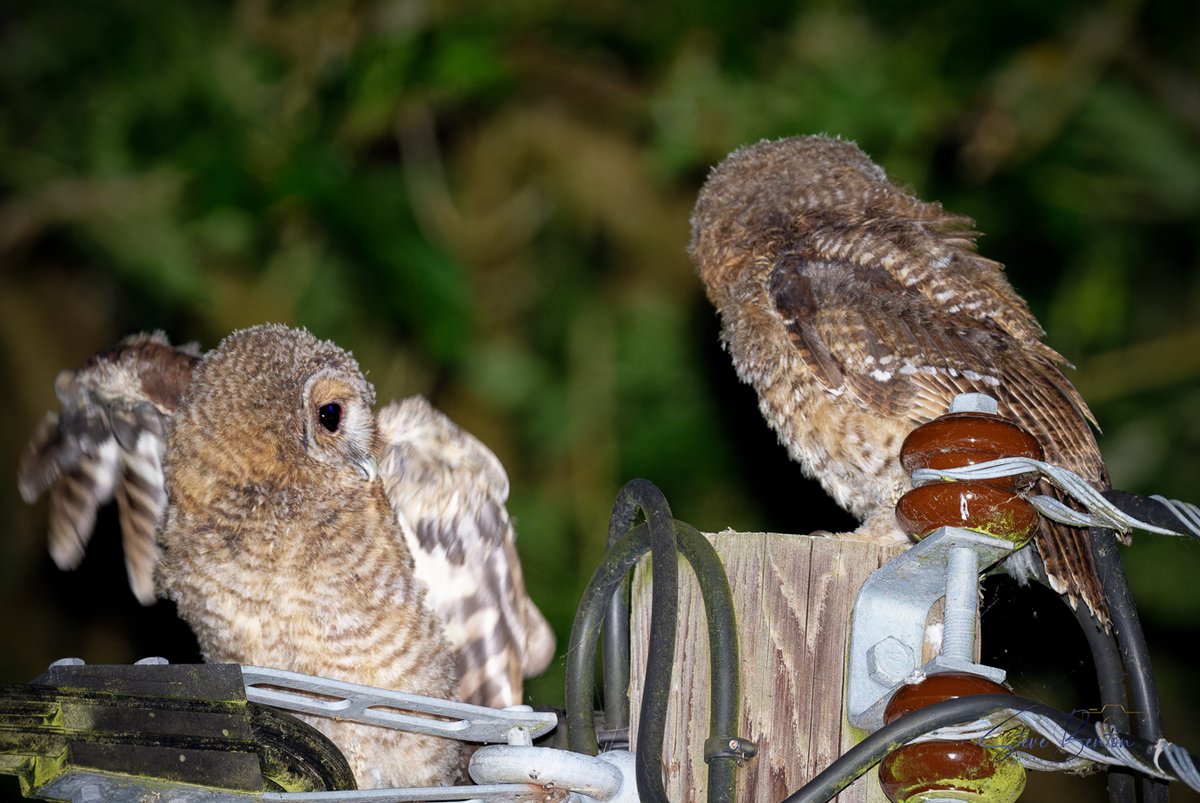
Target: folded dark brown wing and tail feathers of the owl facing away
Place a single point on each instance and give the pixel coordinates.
(860, 335)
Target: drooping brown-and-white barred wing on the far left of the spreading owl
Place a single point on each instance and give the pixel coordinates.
(110, 441)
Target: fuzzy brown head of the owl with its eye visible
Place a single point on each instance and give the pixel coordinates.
(272, 400)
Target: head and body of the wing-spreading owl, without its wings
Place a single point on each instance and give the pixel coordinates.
(280, 548)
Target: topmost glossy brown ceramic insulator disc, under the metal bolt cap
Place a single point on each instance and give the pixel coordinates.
(961, 440)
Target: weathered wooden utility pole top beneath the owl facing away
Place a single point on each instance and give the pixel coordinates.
(794, 597)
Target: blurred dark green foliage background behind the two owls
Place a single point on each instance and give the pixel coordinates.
(488, 202)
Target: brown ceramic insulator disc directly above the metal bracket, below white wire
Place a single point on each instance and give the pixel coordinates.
(973, 506)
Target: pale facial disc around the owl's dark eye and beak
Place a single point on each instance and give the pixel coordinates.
(340, 426)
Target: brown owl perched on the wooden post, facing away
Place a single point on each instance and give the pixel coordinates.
(857, 313)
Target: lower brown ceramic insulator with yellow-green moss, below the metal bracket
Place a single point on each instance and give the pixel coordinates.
(969, 771)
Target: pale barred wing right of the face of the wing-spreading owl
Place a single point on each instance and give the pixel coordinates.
(449, 490)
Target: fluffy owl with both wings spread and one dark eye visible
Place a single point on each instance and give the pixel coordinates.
(302, 530)
